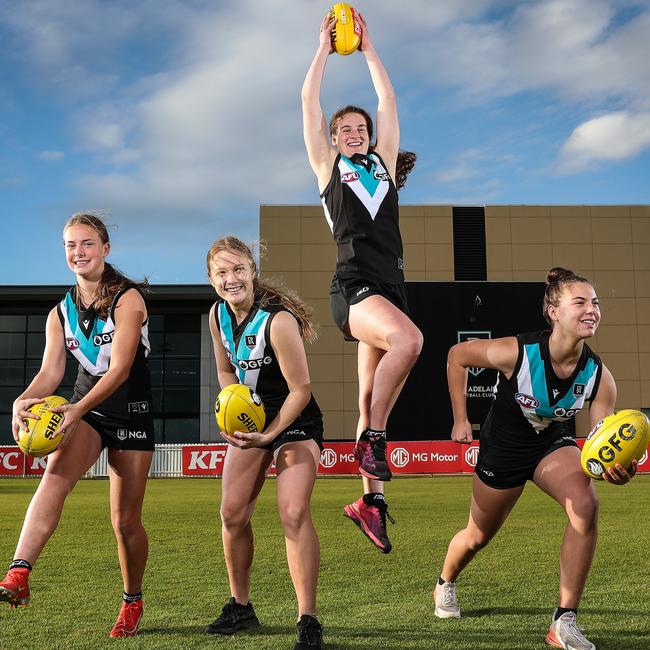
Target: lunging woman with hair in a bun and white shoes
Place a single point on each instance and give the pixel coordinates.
(545, 379)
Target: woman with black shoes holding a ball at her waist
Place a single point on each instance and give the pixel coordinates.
(257, 333)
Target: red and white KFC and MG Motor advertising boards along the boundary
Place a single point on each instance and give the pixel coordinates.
(337, 459)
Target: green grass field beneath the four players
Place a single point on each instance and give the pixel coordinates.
(366, 600)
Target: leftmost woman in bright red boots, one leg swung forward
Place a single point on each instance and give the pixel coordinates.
(102, 321)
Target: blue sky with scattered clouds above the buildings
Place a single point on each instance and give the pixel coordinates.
(176, 119)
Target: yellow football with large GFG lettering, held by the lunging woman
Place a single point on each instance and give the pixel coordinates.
(618, 439)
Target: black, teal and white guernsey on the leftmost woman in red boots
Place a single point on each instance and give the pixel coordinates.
(89, 339)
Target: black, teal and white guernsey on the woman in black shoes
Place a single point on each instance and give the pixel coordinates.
(249, 350)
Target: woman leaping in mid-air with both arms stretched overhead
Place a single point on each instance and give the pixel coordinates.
(358, 179)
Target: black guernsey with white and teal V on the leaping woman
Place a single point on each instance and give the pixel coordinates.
(361, 208)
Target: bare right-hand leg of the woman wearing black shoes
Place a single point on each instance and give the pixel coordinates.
(297, 465)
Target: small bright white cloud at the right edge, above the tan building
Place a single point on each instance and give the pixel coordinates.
(611, 137)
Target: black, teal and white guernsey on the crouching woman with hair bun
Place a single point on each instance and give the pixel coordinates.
(534, 403)
